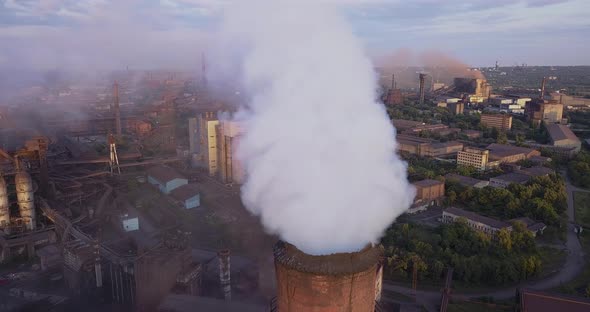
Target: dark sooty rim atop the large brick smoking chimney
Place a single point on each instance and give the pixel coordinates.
(334, 264)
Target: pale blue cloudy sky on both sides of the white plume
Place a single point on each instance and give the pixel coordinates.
(48, 33)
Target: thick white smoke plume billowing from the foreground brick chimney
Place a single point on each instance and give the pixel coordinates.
(319, 151)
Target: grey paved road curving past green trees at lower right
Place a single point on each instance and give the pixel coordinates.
(573, 266)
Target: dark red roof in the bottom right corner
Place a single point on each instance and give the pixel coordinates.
(537, 301)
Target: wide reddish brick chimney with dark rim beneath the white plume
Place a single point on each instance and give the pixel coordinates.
(328, 283)
